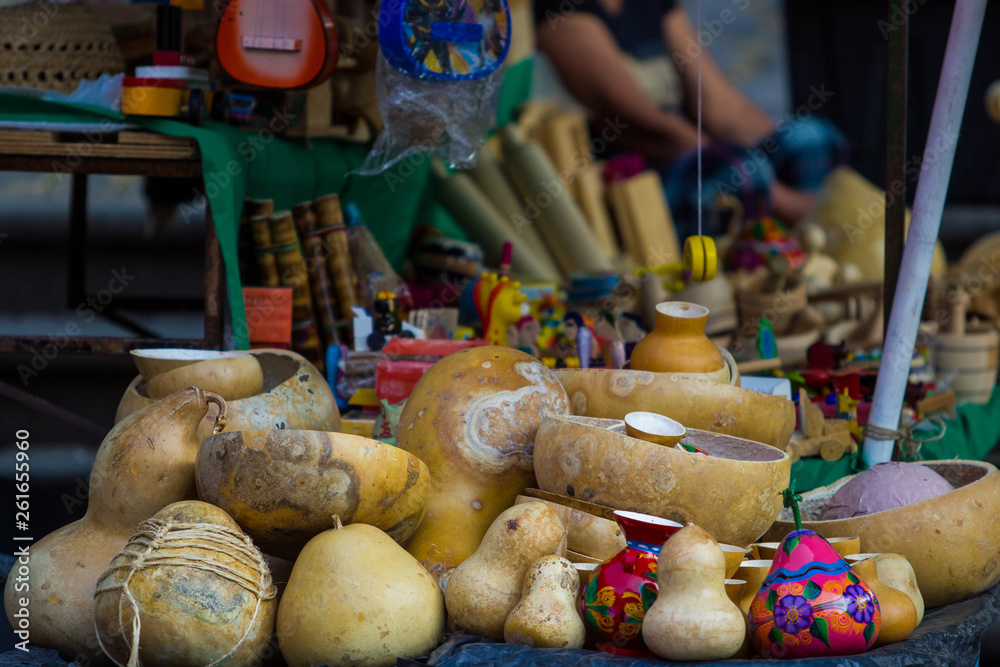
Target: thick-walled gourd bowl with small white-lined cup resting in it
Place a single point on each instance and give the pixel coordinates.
(734, 493)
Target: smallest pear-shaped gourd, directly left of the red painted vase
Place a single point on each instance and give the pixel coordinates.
(546, 616)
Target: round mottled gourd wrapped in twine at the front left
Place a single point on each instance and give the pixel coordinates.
(186, 578)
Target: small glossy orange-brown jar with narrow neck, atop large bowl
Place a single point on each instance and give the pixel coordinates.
(678, 343)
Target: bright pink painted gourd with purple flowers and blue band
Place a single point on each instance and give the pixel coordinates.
(811, 604)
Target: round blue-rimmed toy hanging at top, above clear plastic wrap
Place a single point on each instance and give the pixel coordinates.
(445, 40)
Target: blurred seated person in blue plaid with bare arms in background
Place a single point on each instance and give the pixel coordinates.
(615, 56)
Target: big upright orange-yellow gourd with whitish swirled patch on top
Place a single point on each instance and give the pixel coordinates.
(472, 419)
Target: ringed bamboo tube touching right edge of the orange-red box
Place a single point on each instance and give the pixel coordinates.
(292, 273)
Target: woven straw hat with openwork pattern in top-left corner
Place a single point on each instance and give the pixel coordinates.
(54, 46)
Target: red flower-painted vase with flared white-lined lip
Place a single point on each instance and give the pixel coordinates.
(623, 588)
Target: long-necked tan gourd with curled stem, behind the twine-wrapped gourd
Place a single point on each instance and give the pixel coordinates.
(145, 463)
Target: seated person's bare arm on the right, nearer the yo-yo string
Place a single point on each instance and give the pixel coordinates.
(726, 112)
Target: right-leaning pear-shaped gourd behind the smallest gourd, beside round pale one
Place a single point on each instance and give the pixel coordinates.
(483, 590)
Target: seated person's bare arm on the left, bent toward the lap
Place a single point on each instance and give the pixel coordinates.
(595, 72)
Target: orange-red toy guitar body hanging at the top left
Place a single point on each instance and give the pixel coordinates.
(278, 43)
